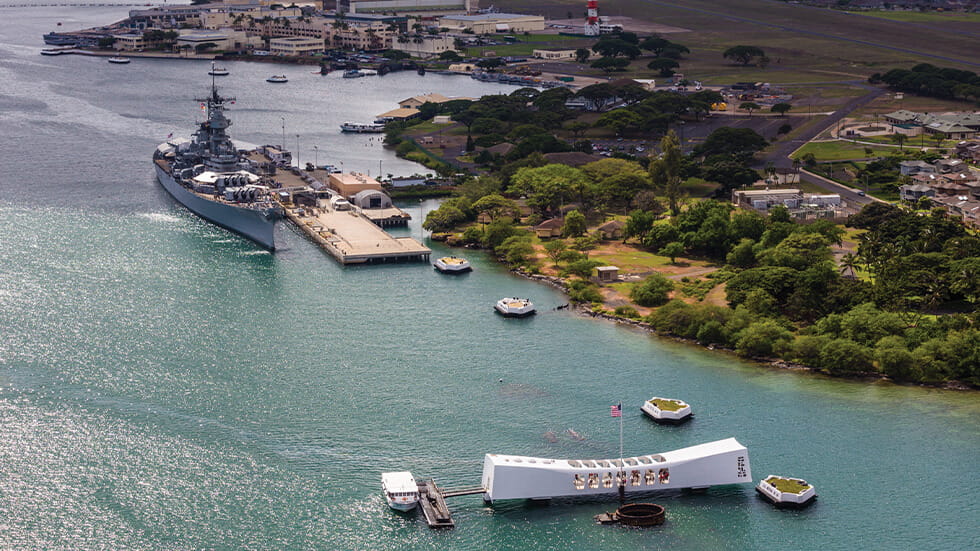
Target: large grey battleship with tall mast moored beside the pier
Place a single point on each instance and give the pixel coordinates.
(219, 182)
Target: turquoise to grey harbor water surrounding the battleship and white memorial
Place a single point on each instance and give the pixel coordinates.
(167, 385)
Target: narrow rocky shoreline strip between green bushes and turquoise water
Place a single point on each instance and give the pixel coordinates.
(775, 363)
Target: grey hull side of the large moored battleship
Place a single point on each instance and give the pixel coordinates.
(257, 225)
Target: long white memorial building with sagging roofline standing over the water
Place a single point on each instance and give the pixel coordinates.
(519, 477)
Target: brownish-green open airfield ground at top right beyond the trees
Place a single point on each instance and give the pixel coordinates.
(804, 44)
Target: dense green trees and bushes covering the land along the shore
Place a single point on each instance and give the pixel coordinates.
(902, 304)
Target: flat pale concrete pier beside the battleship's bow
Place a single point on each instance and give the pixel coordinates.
(352, 238)
